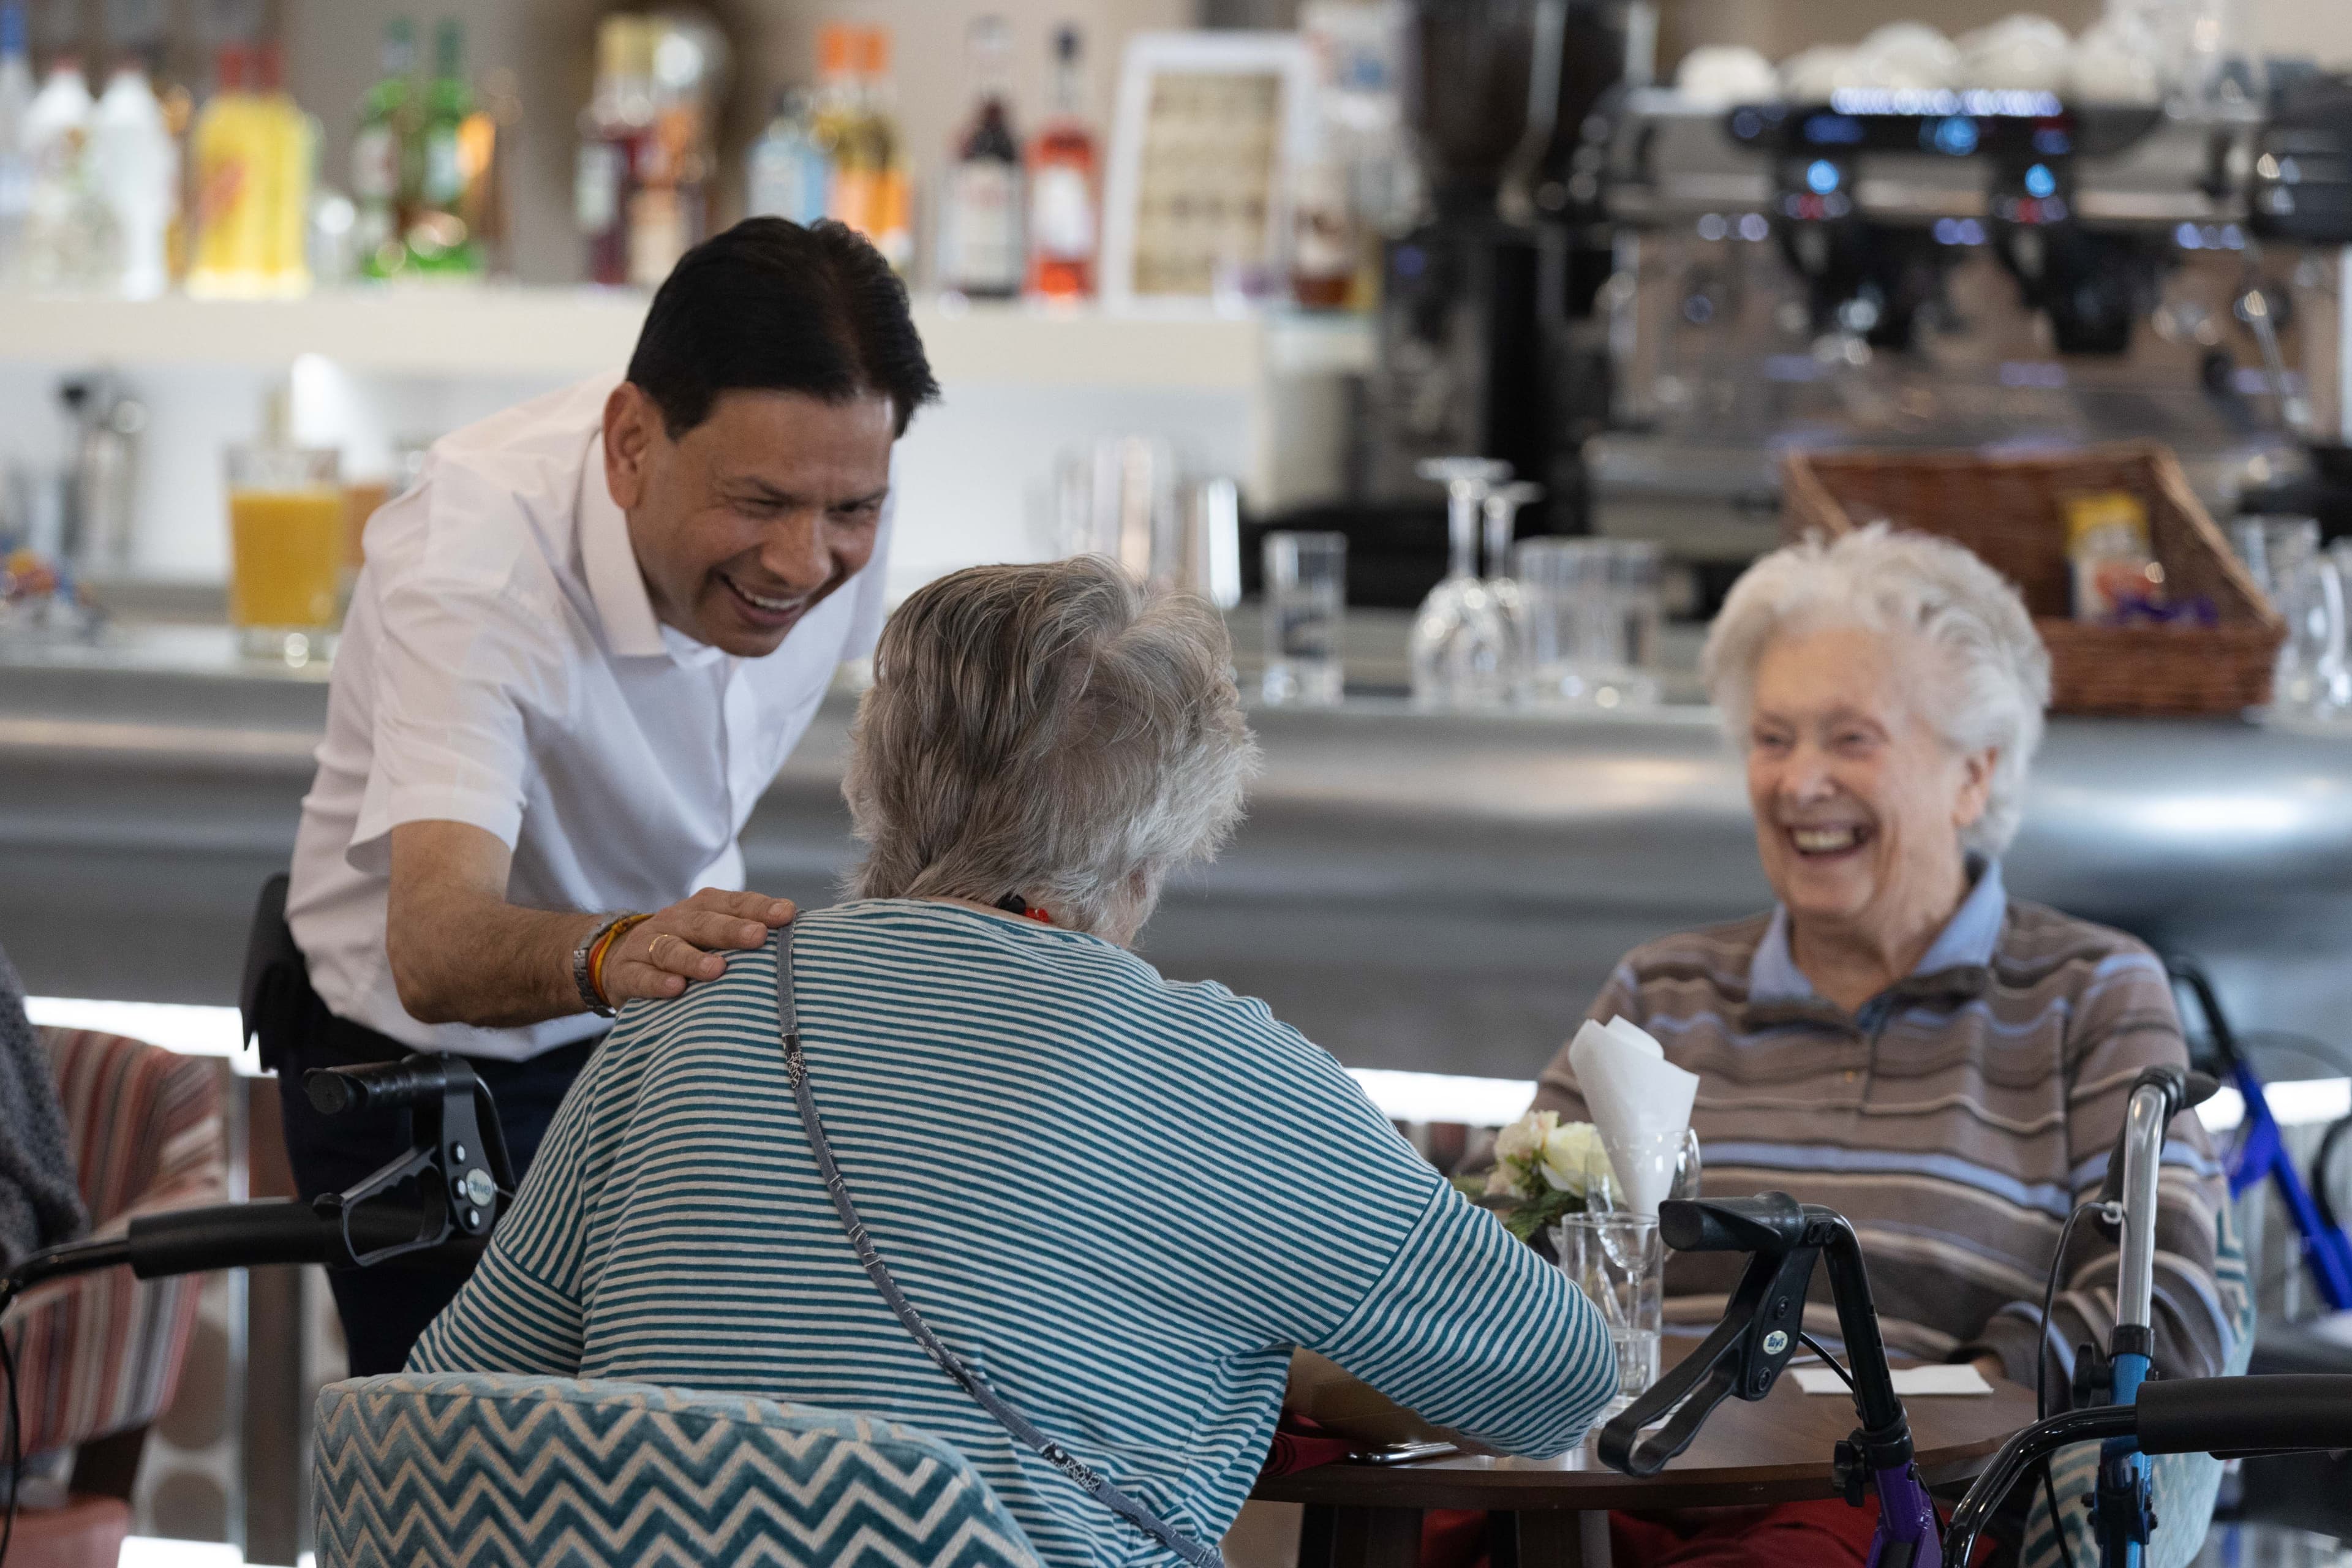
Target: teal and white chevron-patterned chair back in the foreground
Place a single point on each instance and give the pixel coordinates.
(462, 1470)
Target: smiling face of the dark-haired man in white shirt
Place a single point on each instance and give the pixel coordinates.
(751, 518)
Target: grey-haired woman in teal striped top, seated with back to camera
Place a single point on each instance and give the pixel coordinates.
(1123, 1200)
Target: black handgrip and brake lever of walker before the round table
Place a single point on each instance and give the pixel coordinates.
(1746, 1353)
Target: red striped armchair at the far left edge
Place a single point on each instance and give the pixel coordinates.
(102, 1353)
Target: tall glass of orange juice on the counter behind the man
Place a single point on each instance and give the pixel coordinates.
(286, 549)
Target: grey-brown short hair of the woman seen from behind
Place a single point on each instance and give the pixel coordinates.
(1053, 732)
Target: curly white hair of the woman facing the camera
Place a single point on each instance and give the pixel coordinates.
(1993, 676)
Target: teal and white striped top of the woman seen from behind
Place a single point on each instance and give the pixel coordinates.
(1121, 1198)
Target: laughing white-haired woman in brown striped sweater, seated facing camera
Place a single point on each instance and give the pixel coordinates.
(1899, 1038)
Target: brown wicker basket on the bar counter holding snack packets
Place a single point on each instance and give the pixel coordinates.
(2010, 511)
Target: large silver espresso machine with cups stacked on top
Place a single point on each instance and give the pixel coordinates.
(1925, 269)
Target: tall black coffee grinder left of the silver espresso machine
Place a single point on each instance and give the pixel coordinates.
(1488, 333)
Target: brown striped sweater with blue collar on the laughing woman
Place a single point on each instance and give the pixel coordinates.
(1956, 1123)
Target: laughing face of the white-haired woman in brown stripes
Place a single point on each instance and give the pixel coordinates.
(1859, 800)
